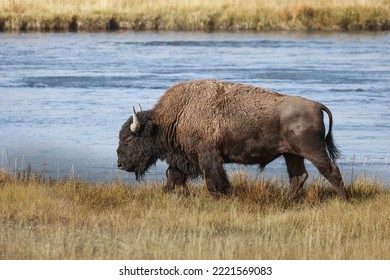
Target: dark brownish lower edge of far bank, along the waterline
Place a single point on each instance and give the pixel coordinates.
(75, 24)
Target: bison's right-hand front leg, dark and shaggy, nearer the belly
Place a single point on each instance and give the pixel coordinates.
(212, 167)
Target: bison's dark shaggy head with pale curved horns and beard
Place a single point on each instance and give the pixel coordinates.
(137, 150)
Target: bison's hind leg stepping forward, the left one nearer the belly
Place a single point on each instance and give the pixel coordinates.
(297, 173)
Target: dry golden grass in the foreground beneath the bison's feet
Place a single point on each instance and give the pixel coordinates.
(70, 219)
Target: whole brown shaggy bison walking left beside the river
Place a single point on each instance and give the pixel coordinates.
(197, 126)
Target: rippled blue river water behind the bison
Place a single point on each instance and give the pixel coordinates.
(64, 97)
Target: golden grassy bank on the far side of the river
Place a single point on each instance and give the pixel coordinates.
(195, 15)
